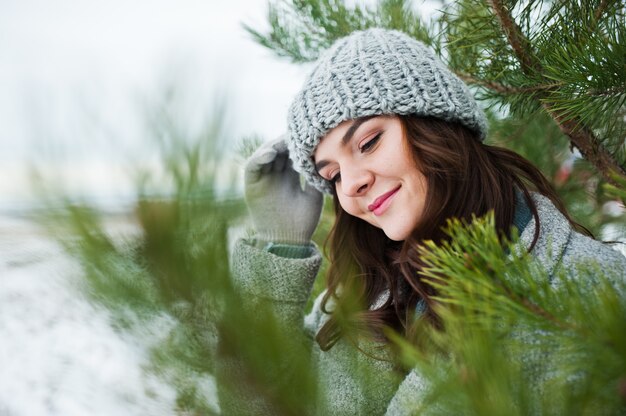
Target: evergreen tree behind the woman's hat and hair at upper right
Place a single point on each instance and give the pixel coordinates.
(551, 74)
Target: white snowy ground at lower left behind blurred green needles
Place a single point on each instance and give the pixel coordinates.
(58, 353)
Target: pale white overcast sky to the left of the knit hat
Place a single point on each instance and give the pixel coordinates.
(74, 72)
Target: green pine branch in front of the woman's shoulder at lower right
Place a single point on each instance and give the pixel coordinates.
(513, 337)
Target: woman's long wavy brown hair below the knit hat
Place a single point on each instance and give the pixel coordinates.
(465, 177)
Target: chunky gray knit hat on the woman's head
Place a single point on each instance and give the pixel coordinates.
(373, 72)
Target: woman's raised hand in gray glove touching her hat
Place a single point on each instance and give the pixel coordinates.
(282, 212)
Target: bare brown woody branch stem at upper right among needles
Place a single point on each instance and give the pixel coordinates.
(580, 136)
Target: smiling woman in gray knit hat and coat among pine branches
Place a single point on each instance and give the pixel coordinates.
(396, 138)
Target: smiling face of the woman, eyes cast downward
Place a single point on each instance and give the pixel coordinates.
(374, 174)
